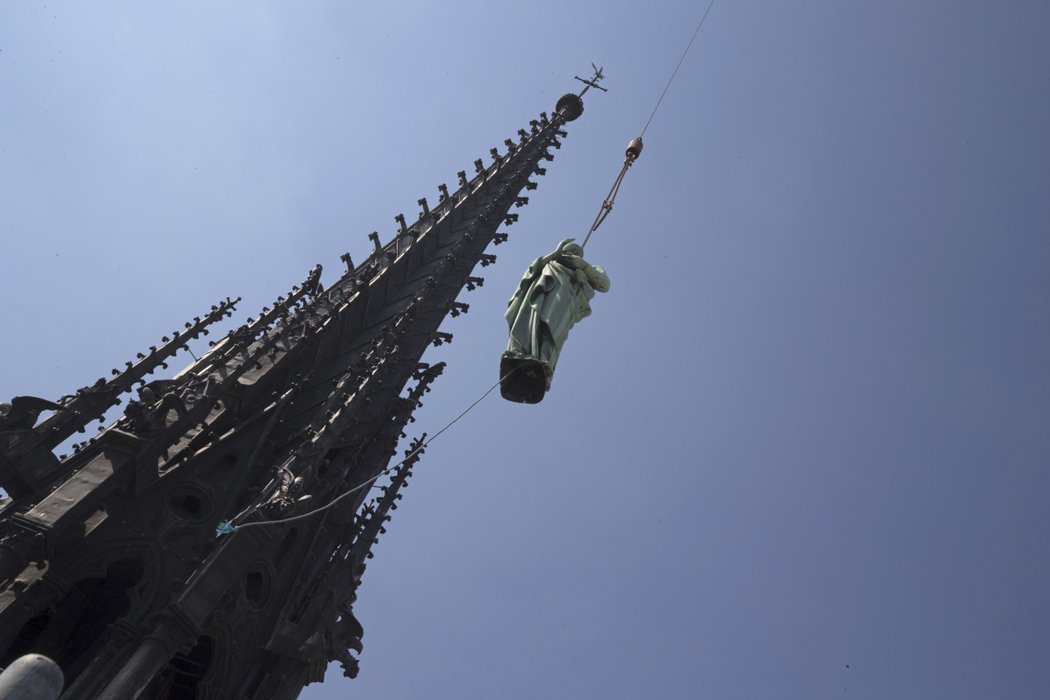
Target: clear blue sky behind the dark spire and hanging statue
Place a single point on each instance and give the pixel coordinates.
(801, 450)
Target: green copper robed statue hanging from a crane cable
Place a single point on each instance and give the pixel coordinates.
(553, 296)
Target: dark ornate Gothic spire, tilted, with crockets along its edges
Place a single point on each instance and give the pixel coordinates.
(110, 559)
